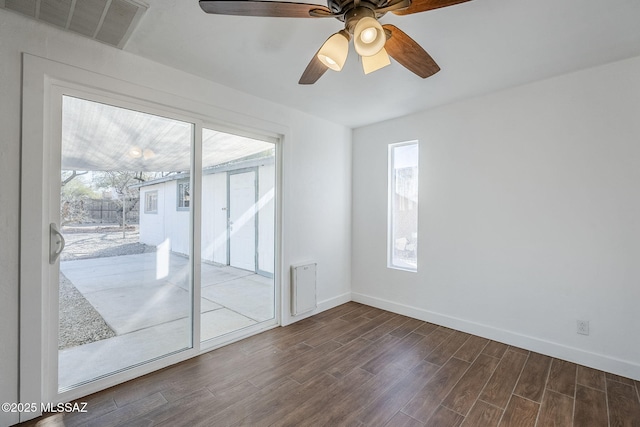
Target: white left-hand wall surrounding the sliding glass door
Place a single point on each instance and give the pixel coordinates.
(316, 217)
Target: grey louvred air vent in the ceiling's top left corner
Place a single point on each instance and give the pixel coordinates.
(109, 21)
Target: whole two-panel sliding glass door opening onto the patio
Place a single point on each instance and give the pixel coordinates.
(153, 218)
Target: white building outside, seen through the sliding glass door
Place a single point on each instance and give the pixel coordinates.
(238, 216)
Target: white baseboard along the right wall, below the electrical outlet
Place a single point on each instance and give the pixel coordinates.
(593, 360)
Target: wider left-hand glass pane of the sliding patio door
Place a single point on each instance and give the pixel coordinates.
(125, 283)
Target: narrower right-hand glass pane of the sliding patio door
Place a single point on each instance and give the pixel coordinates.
(238, 233)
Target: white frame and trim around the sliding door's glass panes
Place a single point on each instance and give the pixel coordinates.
(44, 84)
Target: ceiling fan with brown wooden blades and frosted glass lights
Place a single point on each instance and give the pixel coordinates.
(372, 41)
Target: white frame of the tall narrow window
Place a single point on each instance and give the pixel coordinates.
(391, 235)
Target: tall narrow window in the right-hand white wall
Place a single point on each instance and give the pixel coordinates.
(403, 206)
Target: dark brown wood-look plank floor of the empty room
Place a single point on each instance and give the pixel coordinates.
(356, 365)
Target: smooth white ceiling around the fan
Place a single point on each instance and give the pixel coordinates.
(481, 46)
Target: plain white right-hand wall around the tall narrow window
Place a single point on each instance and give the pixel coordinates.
(529, 216)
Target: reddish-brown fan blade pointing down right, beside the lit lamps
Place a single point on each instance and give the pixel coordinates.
(408, 53)
